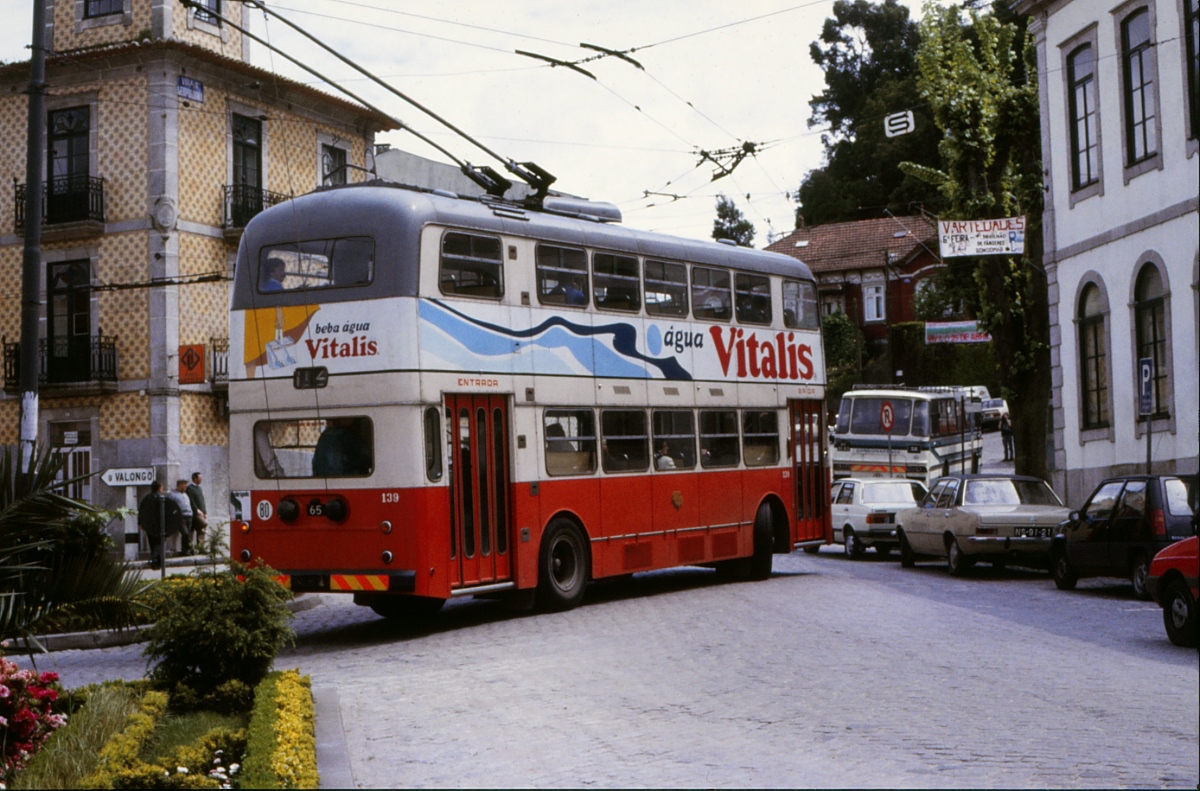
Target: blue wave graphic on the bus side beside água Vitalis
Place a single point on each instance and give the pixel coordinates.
(556, 333)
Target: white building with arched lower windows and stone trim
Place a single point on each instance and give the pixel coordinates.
(1119, 85)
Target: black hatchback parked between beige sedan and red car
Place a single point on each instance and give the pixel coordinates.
(1125, 524)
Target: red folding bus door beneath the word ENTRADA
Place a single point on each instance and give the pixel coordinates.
(481, 513)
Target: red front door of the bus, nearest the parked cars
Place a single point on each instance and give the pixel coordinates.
(812, 487)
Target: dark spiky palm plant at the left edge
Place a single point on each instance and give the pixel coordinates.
(55, 558)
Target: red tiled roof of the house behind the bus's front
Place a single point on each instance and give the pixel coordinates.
(841, 247)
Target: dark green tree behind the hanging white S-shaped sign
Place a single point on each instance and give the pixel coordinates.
(868, 55)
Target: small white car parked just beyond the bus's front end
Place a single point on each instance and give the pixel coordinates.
(865, 512)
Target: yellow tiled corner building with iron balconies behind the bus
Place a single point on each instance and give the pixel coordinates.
(163, 142)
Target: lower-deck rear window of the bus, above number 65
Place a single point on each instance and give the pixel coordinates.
(315, 448)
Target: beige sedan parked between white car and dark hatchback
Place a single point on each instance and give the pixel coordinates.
(991, 518)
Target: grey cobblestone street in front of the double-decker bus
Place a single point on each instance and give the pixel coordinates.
(832, 674)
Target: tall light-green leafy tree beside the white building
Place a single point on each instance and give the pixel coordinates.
(979, 75)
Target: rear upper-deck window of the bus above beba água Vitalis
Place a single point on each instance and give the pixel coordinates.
(316, 263)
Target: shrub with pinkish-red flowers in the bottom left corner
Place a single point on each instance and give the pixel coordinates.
(27, 718)
